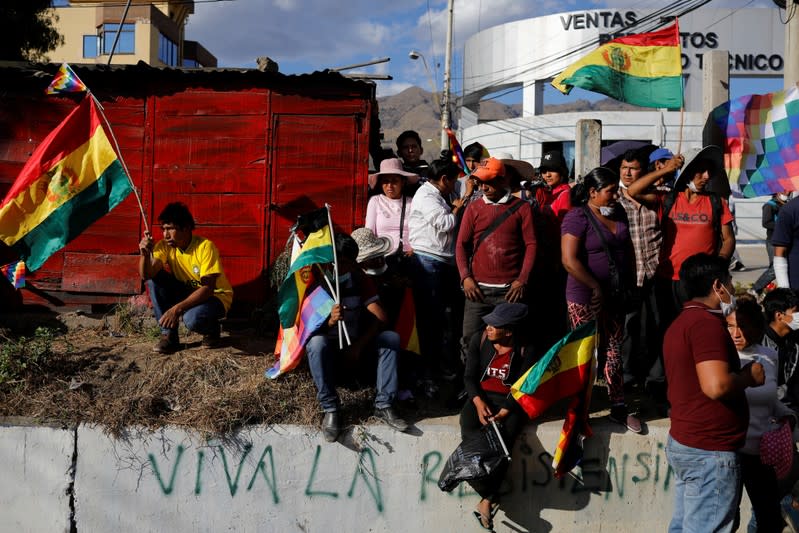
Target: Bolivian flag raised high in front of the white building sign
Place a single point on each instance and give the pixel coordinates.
(643, 70)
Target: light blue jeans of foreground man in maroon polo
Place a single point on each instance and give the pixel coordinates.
(707, 489)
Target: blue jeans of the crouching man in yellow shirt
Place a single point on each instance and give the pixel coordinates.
(166, 291)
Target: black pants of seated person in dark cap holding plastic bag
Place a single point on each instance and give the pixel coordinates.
(488, 487)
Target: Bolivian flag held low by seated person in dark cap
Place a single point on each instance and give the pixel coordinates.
(561, 373)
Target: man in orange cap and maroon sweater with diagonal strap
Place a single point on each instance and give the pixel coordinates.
(495, 248)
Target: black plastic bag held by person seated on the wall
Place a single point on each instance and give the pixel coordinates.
(477, 456)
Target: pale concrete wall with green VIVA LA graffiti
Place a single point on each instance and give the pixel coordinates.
(288, 479)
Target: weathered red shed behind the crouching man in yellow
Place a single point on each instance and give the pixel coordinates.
(246, 150)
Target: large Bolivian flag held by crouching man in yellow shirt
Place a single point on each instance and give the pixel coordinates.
(72, 179)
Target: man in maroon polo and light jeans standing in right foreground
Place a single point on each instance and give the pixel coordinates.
(709, 413)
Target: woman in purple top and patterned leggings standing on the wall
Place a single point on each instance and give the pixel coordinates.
(598, 256)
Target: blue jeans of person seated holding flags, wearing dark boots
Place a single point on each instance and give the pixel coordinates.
(322, 350)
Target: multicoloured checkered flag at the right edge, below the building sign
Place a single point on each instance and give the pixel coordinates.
(761, 153)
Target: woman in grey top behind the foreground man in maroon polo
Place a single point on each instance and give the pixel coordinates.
(746, 325)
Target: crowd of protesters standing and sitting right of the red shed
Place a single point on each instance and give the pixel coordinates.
(502, 262)
